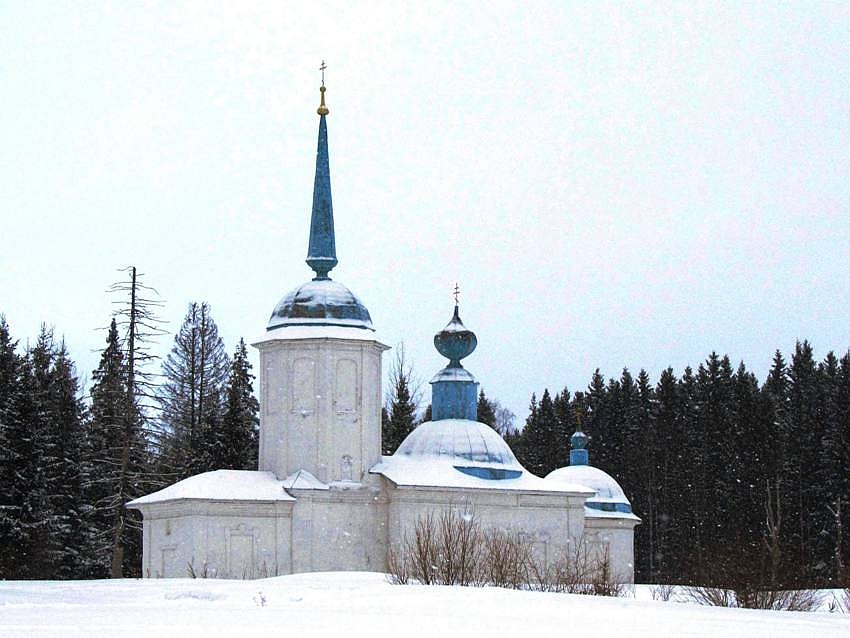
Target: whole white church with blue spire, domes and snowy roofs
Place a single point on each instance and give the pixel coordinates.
(324, 498)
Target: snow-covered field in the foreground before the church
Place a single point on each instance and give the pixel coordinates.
(364, 604)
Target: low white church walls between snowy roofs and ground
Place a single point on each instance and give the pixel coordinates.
(350, 527)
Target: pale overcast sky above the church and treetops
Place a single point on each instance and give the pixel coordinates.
(611, 185)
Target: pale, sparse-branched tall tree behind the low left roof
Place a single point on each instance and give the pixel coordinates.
(192, 395)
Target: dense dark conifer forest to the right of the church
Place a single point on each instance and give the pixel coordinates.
(735, 481)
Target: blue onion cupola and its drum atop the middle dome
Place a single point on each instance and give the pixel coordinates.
(454, 391)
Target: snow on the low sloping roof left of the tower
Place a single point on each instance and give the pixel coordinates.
(221, 485)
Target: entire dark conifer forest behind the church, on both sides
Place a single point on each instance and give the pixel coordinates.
(734, 480)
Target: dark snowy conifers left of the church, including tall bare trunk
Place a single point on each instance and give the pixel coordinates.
(68, 466)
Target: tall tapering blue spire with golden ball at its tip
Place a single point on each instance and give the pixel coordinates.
(321, 252)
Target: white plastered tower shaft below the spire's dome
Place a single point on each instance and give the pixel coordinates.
(321, 407)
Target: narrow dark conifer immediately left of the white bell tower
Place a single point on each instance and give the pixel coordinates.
(237, 439)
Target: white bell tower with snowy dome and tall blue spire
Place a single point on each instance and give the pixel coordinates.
(320, 362)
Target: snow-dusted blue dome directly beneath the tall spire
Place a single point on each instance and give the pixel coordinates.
(321, 302)
